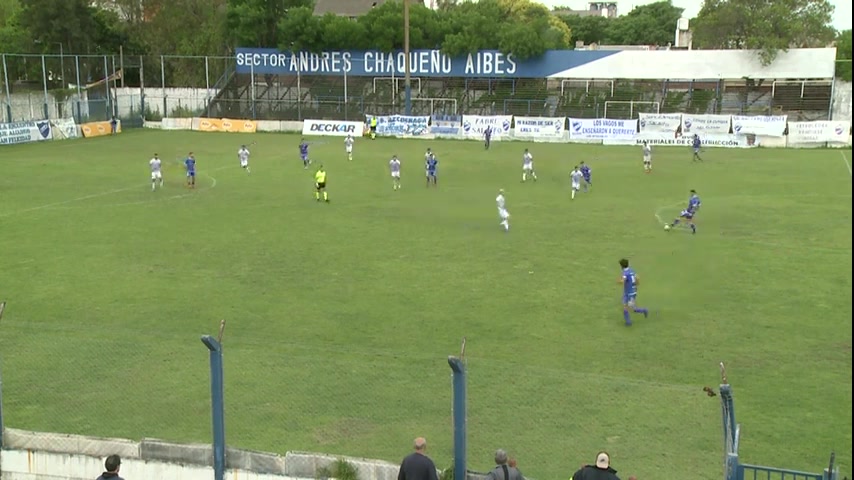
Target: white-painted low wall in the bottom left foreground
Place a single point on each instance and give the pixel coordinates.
(30, 465)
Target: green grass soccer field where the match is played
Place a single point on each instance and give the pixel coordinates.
(341, 315)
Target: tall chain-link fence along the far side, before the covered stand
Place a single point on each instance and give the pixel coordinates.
(152, 87)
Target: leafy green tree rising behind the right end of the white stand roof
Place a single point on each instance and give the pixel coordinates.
(762, 25)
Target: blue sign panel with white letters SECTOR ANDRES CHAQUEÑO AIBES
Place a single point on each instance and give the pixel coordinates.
(423, 63)
